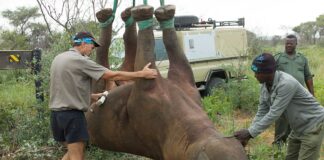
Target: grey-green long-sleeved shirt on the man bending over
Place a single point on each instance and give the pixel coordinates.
(288, 97)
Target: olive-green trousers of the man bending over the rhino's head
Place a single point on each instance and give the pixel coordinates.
(306, 146)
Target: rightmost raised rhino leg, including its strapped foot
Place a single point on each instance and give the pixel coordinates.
(180, 72)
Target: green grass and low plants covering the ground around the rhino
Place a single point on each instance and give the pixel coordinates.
(24, 123)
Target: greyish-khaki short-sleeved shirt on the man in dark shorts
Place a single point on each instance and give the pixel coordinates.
(70, 84)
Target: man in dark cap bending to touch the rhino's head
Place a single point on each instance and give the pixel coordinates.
(282, 95)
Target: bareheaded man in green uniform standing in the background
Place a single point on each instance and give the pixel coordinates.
(295, 64)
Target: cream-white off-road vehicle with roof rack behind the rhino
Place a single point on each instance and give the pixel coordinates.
(211, 48)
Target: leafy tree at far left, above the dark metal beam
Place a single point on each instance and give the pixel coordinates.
(26, 34)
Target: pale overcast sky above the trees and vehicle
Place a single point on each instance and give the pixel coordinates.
(263, 17)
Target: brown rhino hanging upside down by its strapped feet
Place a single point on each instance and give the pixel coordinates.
(160, 118)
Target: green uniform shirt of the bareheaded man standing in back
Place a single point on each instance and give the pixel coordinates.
(296, 65)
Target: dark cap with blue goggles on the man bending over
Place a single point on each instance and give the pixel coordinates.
(264, 63)
